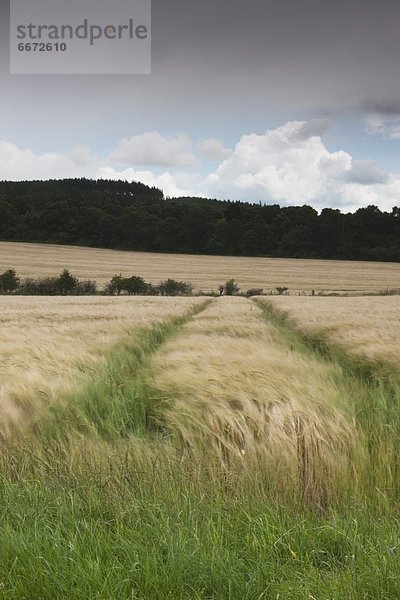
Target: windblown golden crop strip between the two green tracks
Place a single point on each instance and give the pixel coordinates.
(237, 388)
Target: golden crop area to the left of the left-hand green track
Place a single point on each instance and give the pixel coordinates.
(46, 342)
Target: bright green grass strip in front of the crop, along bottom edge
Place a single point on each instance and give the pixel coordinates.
(100, 540)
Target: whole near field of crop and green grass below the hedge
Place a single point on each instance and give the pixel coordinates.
(197, 448)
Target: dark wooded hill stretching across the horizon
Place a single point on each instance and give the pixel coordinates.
(132, 216)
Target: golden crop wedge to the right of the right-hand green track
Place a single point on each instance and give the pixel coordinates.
(368, 325)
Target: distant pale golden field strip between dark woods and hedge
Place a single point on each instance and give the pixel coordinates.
(203, 272)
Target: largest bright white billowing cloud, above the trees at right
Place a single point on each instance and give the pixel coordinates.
(292, 165)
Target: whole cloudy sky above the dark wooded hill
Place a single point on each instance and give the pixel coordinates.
(280, 101)
